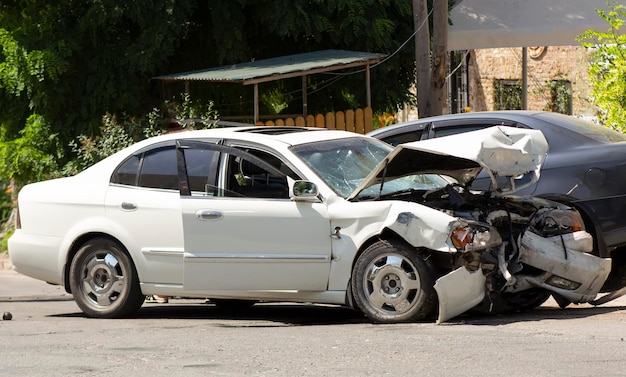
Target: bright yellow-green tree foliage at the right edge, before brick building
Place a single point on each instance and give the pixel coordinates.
(607, 68)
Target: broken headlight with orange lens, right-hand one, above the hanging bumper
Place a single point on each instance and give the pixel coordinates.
(549, 222)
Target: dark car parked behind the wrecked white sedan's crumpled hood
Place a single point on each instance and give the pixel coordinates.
(585, 167)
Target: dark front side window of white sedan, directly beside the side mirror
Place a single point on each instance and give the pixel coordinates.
(246, 178)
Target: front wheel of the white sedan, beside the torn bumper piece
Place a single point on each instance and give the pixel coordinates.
(392, 283)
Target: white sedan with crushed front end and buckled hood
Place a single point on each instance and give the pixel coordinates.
(309, 215)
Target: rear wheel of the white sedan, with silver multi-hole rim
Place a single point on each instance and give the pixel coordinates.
(104, 281)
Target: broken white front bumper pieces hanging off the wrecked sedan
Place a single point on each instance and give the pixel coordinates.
(569, 271)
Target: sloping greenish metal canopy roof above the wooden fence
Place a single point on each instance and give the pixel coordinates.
(279, 68)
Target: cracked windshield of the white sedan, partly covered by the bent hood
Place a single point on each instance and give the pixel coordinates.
(344, 163)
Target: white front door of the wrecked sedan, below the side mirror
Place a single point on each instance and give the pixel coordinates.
(244, 233)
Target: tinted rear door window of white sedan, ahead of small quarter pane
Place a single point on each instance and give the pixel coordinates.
(159, 169)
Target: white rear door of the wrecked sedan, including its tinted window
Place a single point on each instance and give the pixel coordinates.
(143, 201)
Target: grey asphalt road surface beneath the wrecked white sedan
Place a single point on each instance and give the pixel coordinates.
(49, 336)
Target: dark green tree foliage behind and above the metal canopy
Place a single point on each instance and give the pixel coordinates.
(74, 61)
